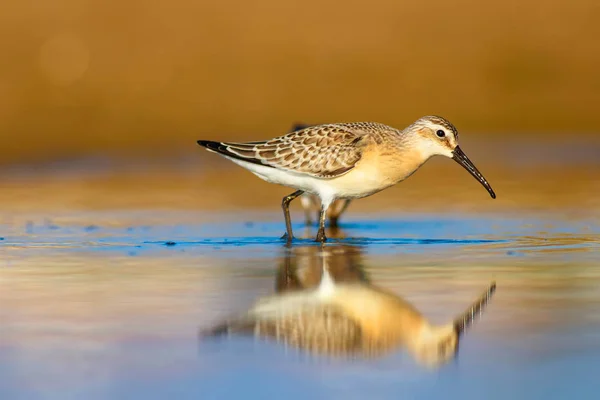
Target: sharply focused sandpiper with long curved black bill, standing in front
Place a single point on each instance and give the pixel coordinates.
(346, 160)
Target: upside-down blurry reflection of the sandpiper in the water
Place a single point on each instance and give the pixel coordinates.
(326, 305)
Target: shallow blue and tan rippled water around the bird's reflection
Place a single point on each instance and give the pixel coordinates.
(97, 310)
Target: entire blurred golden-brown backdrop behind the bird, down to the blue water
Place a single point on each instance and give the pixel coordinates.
(103, 101)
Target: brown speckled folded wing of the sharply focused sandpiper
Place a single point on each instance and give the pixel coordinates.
(324, 151)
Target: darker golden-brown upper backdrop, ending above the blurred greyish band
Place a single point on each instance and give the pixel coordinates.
(146, 78)
